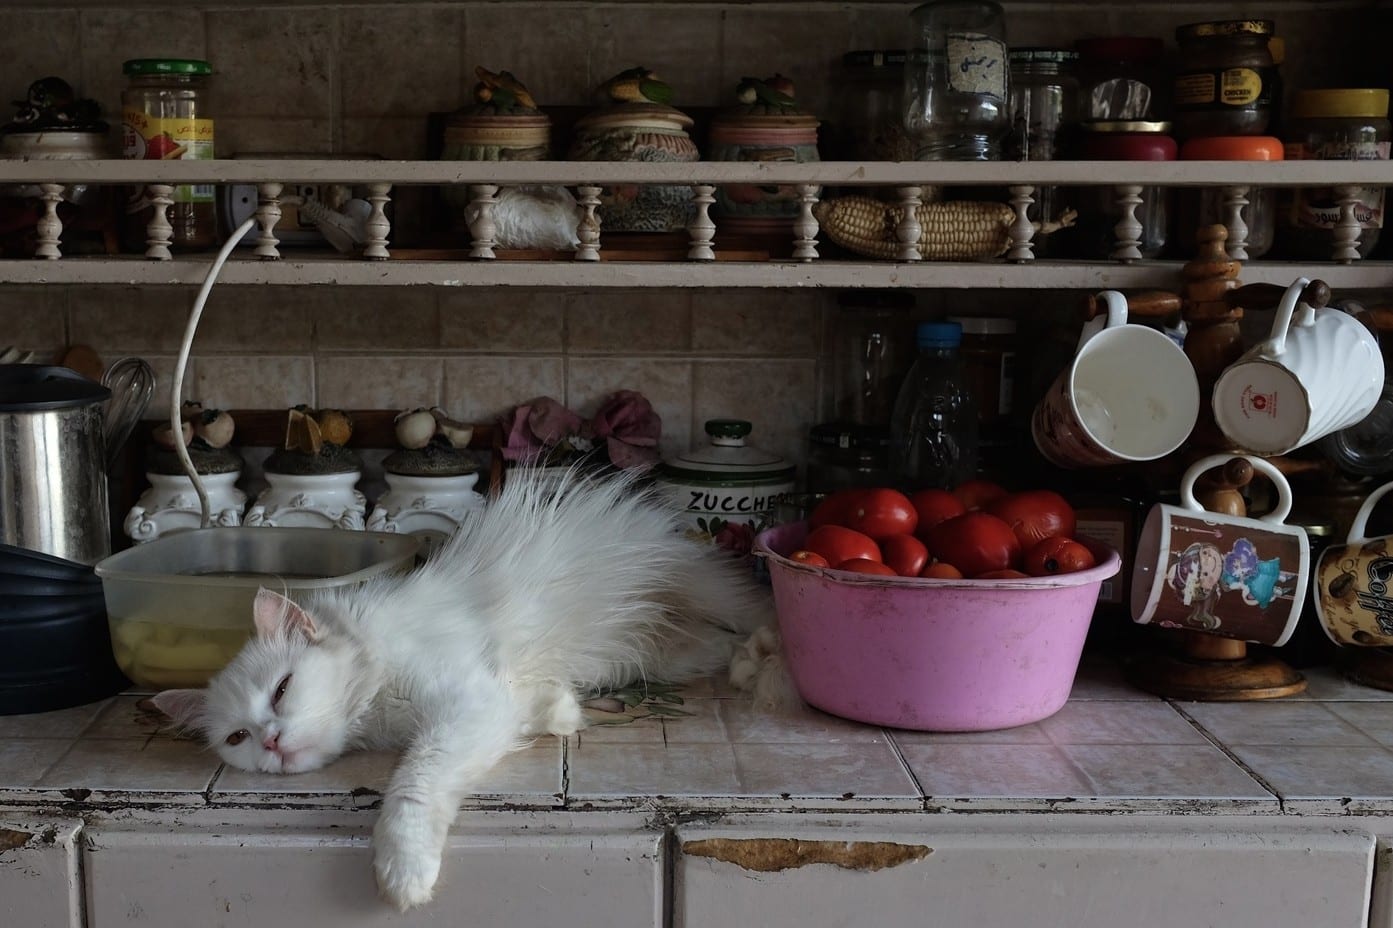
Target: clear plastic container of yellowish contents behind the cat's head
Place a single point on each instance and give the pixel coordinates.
(180, 607)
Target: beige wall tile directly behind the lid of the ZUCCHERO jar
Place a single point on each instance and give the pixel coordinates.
(779, 399)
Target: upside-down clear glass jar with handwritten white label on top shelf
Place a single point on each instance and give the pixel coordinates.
(956, 82)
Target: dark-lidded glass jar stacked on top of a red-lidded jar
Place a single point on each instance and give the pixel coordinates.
(1121, 79)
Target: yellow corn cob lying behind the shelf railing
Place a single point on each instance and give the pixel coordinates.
(958, 231)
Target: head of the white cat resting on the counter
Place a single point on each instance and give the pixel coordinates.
(279, 707)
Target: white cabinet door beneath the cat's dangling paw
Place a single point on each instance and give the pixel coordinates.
(501, 870)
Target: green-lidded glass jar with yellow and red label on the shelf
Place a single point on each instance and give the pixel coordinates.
(166, 116)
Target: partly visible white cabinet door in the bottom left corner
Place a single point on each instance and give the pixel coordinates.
(40, 879)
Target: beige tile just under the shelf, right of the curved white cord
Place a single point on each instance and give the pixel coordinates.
(272, 320)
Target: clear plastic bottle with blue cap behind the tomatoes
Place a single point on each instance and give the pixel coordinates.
(934, 426)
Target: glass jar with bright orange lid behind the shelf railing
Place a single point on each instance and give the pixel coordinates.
(1199, 207)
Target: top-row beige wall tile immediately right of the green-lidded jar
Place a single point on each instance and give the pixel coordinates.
(275, 62)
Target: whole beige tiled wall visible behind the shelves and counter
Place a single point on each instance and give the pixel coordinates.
(361, 77)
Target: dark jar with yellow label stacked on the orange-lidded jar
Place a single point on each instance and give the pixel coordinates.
(1225, 79)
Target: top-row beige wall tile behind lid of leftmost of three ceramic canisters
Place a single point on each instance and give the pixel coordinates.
(545, 45)
